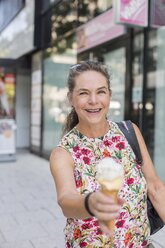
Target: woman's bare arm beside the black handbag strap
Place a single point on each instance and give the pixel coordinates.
(156, 188)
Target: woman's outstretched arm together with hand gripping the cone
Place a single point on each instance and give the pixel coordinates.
(70, 200)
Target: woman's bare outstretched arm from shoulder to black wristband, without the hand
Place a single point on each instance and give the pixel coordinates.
(71, 202)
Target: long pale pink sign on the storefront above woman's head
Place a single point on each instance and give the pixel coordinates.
(98, 31)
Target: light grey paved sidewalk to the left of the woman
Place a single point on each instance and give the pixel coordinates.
(29, 214)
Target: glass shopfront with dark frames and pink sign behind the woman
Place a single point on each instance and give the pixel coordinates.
(134, 55)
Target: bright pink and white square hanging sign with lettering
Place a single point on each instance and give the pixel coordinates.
(131, 12)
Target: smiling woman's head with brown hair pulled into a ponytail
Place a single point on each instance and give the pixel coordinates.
(89, 92)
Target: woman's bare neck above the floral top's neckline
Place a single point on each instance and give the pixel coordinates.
(93, 131)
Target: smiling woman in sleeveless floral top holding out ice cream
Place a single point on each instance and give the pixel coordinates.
(89, 138)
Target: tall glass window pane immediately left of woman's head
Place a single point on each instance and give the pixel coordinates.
(56, 65)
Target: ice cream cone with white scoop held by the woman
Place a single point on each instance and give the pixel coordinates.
(110, 177)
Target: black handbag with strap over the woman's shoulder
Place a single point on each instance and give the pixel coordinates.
(127, 129)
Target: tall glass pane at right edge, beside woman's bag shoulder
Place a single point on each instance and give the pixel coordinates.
(155, 94)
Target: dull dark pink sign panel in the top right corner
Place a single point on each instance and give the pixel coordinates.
(157, 13)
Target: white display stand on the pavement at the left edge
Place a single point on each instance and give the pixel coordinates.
(7, 140)
